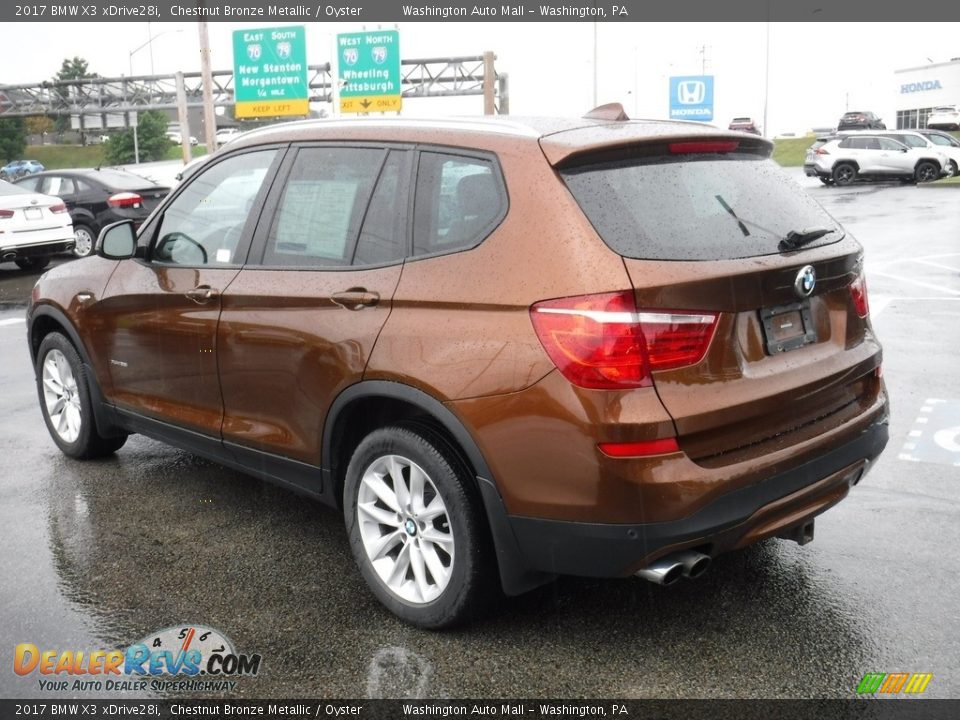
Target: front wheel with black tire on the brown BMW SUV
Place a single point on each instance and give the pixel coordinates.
(74, 429)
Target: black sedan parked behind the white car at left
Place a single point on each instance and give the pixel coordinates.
(97, 197)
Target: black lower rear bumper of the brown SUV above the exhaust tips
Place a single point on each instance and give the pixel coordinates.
(736, 519)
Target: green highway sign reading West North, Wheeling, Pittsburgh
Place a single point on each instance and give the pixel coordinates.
(369, 71)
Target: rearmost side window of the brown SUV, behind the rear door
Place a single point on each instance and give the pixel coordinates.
(459, 202)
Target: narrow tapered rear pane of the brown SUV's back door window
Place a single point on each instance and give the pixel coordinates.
(382, 235)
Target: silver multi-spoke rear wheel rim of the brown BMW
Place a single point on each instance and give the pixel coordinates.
(405, 529)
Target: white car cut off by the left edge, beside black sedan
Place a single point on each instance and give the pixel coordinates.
(32, 227)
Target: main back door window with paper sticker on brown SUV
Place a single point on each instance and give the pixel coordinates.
(322, 206)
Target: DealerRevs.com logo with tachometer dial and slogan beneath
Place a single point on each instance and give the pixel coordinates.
(159, 662)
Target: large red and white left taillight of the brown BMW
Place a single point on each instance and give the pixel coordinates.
(604, 342)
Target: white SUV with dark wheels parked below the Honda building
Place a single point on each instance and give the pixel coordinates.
(844, 159)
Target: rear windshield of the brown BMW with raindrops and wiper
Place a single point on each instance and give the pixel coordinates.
(695, 207)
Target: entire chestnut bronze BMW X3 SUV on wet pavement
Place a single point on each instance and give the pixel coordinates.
(505, 349)
